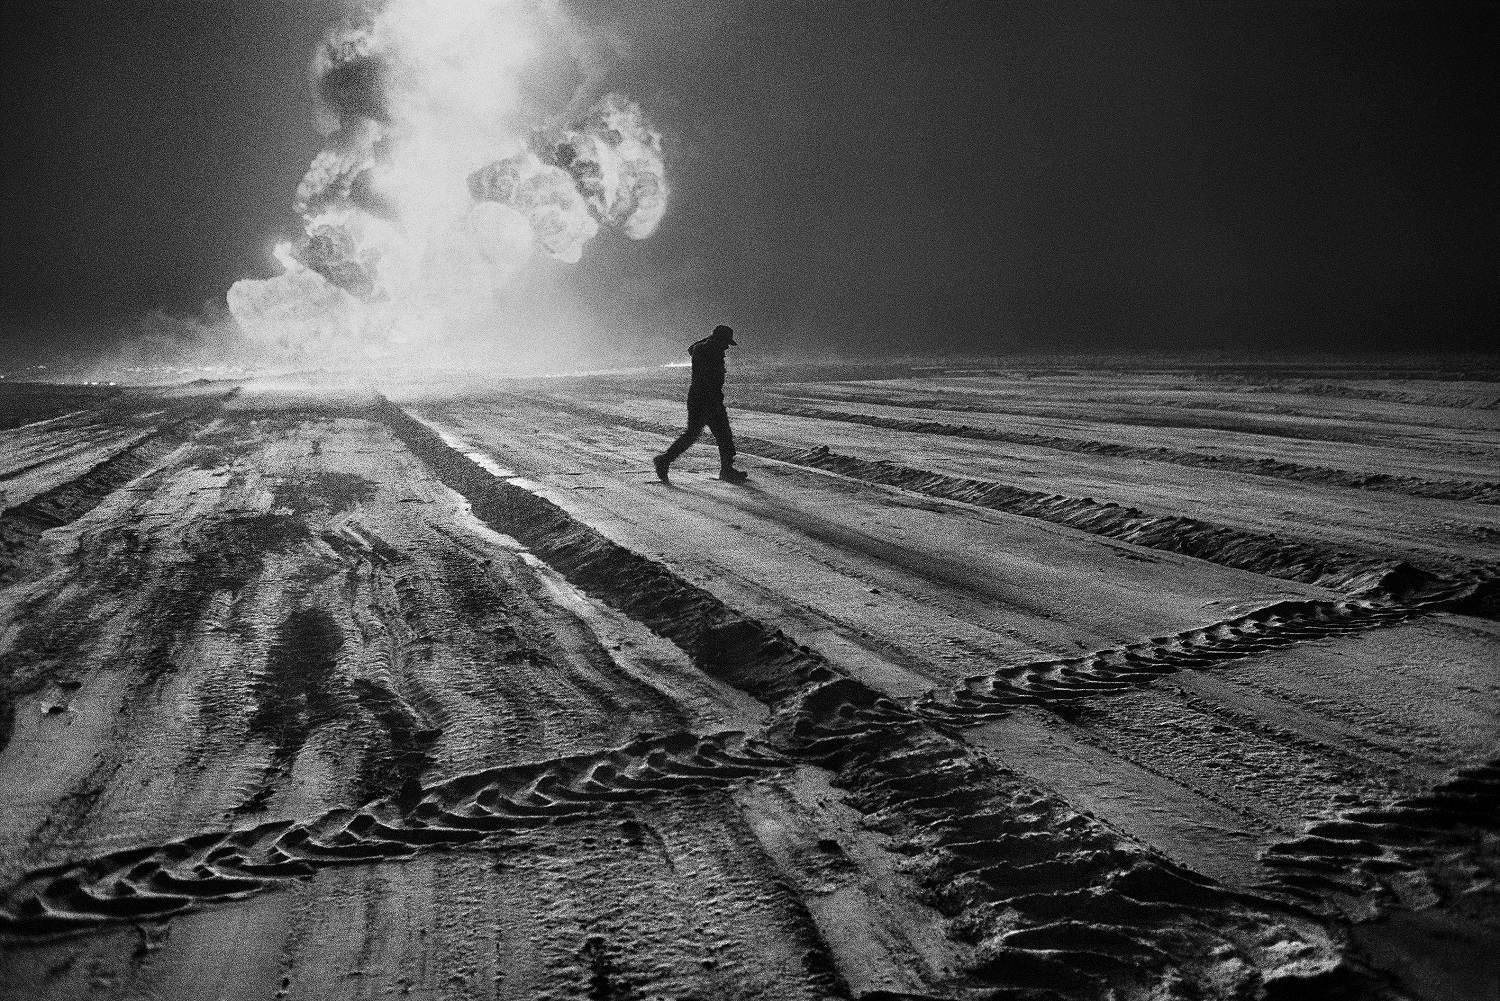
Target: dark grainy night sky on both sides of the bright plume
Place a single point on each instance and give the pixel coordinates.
(896, 178)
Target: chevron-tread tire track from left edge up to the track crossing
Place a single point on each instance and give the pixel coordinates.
(160, 882)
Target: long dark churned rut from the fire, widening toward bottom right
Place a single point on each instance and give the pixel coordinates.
(1043, 895)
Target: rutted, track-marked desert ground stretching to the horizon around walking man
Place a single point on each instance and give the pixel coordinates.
(1003, 681)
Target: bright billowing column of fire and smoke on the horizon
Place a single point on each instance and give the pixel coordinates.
(443, 179)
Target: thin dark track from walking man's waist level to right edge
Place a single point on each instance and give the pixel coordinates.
(1474, 491)
